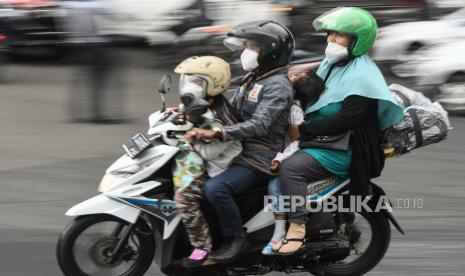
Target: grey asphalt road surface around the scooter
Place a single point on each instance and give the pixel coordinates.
(48, 165)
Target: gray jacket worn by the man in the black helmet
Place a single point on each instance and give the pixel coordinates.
(264, 106)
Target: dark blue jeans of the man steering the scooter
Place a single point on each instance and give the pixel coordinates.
(220, 190)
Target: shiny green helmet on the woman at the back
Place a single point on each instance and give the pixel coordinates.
(352, 21)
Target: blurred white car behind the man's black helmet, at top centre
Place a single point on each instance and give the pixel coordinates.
(187, 21)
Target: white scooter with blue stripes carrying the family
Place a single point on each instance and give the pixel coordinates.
(134, 220)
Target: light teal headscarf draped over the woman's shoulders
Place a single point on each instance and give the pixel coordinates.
(360, 77)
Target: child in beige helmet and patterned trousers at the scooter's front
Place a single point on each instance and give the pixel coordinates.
(203, 80)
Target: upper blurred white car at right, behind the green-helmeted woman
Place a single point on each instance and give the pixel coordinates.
(396, 42)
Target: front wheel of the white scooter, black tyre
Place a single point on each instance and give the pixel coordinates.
(84, 248)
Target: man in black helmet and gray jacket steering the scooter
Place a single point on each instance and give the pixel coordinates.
(263, 102)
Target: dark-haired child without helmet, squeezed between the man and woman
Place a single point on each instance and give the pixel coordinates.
(308, 87)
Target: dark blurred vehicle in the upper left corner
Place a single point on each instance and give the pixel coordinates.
(31, 25)
